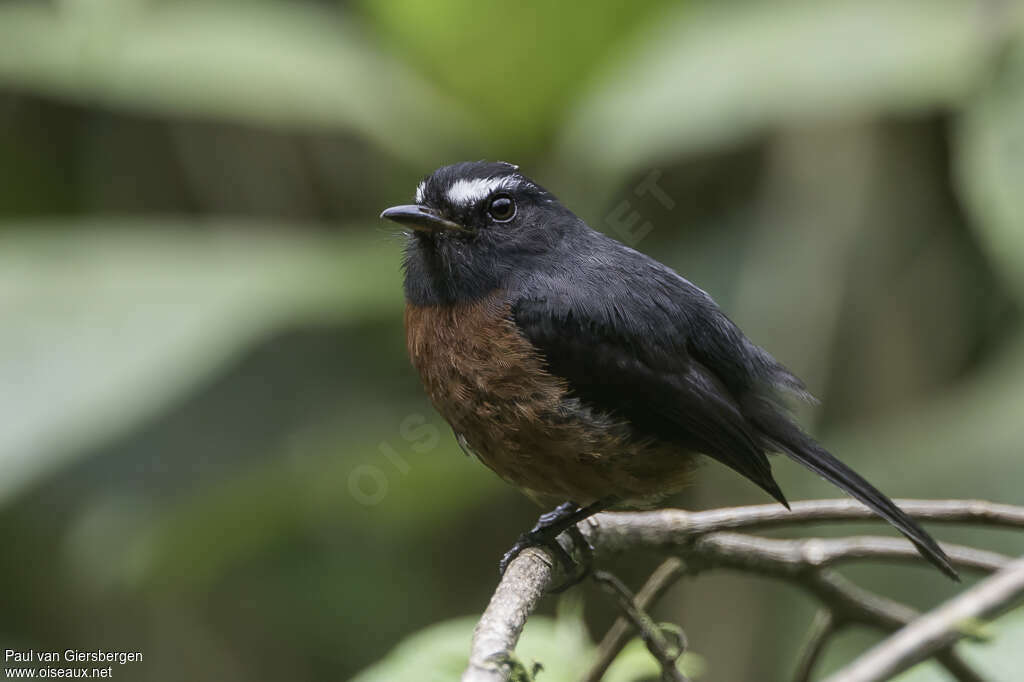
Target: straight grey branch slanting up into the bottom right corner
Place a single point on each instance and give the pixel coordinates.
(937, 630)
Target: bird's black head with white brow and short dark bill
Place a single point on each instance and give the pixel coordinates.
(475, 226)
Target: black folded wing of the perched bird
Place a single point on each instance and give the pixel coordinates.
(626, 354)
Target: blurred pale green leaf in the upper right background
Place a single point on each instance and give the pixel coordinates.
(708, 77)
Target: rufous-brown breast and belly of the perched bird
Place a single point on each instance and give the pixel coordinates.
(492, 387)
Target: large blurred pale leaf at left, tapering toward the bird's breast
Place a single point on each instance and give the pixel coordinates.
(104, 326)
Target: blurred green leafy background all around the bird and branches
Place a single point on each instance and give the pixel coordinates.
(212, 444)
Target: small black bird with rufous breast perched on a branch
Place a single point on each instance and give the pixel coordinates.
(584, 372)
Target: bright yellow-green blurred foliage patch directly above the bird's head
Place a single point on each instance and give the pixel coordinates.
(520, 71)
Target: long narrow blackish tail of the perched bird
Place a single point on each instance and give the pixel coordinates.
(784, 436)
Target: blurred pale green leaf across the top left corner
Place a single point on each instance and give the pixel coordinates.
(279, 64)
